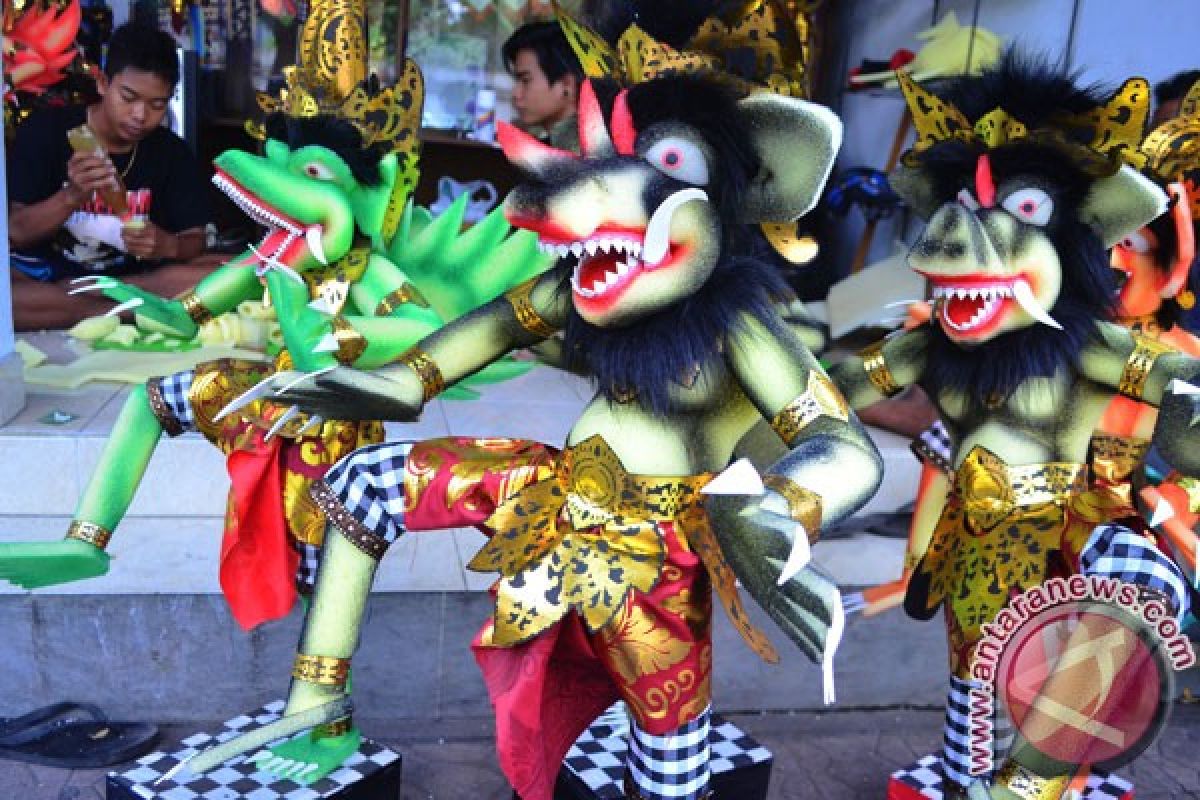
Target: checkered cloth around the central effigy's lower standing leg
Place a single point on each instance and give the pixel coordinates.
(671, 767)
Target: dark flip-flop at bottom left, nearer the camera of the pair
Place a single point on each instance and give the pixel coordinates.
(77, 744)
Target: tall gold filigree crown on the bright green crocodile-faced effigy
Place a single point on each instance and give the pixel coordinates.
(331, 77)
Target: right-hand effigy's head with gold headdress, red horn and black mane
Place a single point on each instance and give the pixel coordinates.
(1027, 181)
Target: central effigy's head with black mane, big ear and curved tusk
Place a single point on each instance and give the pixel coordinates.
(649, 218)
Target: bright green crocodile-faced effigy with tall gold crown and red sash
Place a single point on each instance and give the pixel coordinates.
(355, 279)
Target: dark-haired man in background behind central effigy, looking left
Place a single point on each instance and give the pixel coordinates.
(547, 79)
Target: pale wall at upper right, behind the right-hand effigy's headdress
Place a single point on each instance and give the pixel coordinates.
(1106, 40)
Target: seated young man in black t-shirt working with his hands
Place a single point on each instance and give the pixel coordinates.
(61, 227)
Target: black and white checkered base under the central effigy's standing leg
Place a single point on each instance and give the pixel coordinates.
(596, 765)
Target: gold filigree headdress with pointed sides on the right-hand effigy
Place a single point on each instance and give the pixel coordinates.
(1096, 141)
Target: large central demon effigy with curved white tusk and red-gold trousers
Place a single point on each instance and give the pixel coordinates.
(609, 549)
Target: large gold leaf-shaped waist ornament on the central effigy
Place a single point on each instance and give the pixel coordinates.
(583, 539)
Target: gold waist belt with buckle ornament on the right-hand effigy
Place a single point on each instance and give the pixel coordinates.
(989, 490)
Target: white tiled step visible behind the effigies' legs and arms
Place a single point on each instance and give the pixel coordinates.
(171, 540)
